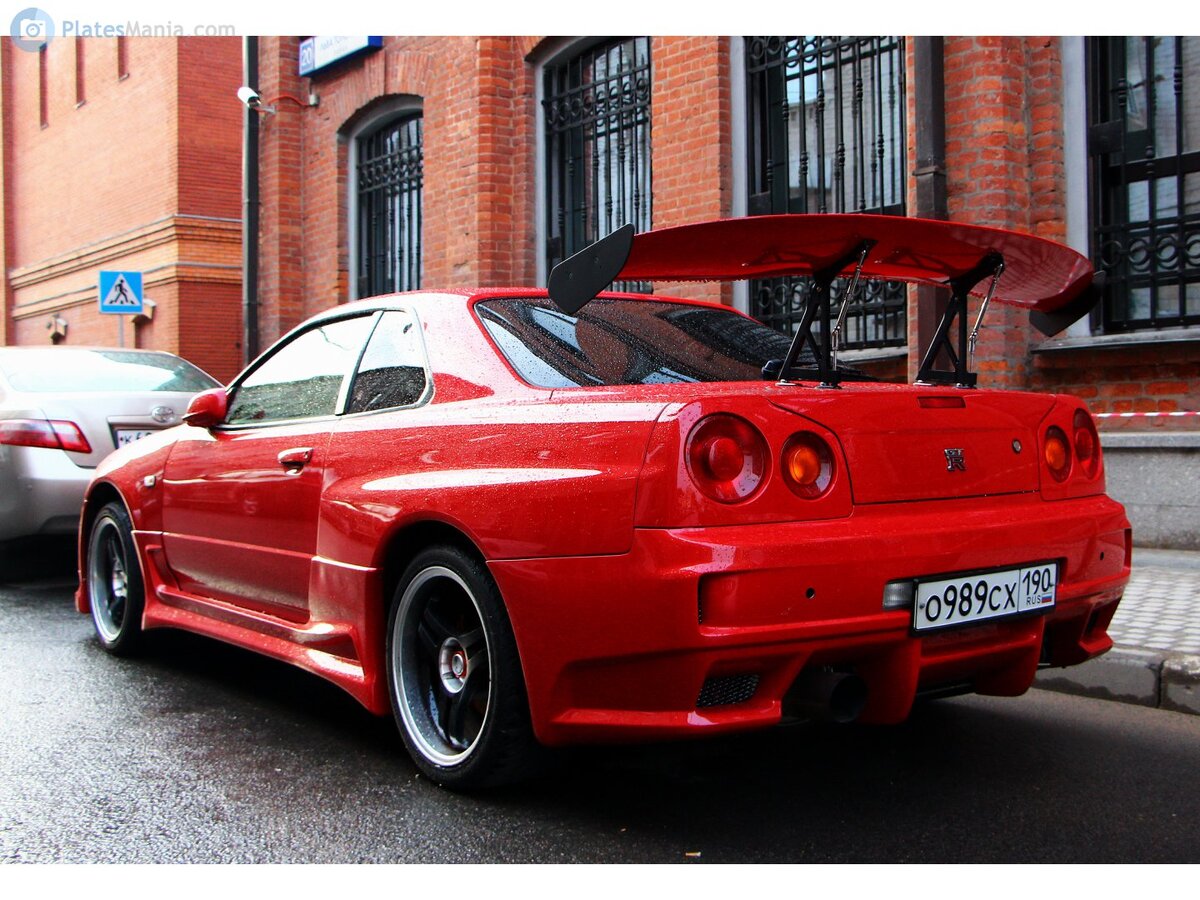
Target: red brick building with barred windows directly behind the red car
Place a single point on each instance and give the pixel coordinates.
(527, 148)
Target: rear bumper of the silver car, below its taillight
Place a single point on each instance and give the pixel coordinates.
(41, 493)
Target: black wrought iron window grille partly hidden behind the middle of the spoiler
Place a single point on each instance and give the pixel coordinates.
(826, 121)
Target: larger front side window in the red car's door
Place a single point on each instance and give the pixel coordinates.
(303, 379)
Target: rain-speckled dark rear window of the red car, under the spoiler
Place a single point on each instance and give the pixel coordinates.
(614, 341)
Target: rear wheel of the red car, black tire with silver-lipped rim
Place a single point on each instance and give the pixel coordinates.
(454, 675)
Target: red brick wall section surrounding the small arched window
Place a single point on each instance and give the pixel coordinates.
(472, 154)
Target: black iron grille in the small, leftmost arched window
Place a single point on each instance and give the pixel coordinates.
(389, 185)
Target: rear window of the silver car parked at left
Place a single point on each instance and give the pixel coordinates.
(67, 371)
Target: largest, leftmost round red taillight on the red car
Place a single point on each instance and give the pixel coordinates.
(727, 458)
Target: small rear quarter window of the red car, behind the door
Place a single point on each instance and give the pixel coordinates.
(393, 369)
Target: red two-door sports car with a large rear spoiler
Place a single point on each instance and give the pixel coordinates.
(518, 519)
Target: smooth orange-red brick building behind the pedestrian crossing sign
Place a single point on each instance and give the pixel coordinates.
(123, 154)
